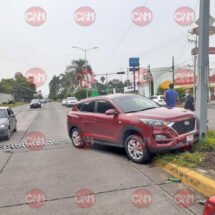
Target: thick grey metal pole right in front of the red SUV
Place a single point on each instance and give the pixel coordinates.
(203, 66)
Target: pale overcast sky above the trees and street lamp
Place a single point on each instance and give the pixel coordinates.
(41, 33)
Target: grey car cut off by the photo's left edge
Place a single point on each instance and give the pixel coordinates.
(8, 122)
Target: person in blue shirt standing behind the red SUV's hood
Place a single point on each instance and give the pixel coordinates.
(171, 97)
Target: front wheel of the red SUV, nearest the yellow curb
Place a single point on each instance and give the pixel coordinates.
(136, 149)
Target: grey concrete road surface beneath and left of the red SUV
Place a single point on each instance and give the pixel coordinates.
(54, 178)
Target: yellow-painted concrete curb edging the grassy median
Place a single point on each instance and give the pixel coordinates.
(189, 177)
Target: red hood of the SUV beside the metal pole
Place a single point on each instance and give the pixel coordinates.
(163, 113)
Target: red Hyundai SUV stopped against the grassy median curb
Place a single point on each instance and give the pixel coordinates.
(133, 122)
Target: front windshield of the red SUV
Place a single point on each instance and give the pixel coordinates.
(131, 103)
